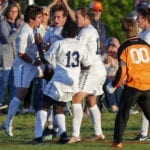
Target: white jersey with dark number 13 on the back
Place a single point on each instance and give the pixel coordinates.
(69, 54)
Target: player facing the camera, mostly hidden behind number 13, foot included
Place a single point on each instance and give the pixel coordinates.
(59, 16)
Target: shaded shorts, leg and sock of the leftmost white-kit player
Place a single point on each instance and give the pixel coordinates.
(22, 78)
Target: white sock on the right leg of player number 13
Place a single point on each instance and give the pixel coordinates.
(60, 121)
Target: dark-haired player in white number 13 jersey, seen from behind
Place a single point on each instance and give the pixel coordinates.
(68, 54)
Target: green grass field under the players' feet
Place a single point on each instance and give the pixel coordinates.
(24, 132)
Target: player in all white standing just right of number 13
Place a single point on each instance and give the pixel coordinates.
(91, 83)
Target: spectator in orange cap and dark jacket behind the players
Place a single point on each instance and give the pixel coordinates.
(97, 9)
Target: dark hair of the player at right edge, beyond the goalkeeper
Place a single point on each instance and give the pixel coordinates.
(145, 12)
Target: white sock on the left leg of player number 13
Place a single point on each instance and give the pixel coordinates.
(41, 118)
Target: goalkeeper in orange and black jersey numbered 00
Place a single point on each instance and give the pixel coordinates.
(134, 69)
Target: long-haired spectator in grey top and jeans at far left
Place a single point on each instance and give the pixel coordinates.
(9, 28)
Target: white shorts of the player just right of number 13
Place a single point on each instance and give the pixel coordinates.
(92, 81)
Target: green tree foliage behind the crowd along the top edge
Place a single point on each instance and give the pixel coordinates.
(113, 11)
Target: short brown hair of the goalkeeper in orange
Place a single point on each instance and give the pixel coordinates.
(129, 27)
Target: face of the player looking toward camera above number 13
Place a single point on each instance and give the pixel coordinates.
(59, 19)
